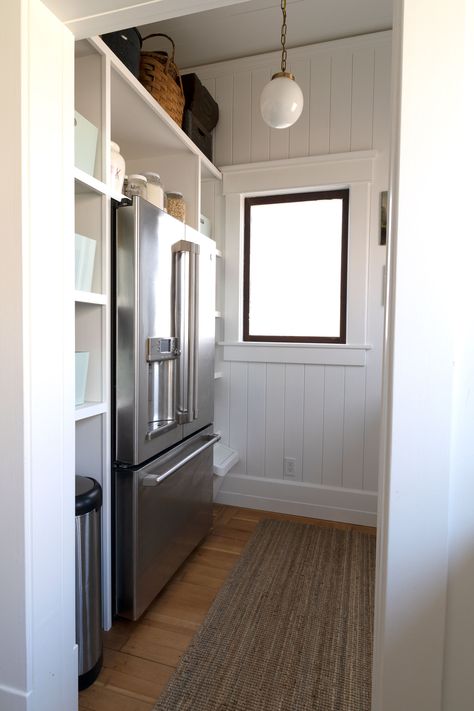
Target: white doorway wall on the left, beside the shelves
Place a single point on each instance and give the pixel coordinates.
(38, 668)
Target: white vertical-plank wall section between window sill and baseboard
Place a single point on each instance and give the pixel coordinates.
(310, 413)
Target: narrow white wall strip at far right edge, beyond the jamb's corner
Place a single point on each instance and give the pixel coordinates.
(458, 686)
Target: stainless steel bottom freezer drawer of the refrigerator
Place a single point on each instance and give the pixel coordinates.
(163, 510)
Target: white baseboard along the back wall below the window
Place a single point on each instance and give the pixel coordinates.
(300, 499)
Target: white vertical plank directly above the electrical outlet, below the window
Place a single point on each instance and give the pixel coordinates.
(294, 409)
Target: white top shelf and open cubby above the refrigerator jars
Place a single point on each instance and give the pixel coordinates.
(139, 124)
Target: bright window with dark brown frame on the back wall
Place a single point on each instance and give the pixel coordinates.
(295, 267)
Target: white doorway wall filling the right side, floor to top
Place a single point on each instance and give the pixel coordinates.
(424, 652)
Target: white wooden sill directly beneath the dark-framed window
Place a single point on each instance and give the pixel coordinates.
(299, 353)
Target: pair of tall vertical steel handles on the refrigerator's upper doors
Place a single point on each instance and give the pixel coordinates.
(186, 305)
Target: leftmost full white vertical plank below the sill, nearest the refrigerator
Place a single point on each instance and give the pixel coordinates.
(238, 421)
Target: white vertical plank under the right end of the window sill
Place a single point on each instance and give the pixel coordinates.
(353, 446)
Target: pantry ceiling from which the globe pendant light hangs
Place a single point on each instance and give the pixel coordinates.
(253, 27)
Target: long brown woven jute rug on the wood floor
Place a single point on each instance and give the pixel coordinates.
(291, 630)
